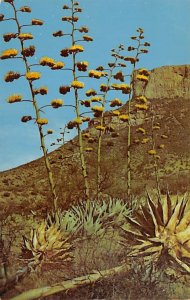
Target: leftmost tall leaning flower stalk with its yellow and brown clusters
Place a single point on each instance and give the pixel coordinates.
(31, 76)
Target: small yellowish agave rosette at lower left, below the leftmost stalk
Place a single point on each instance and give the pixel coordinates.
(48, 242)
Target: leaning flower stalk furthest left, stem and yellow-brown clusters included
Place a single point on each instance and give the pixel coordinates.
(30, 76)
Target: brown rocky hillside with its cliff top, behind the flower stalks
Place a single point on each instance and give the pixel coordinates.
(168, 92)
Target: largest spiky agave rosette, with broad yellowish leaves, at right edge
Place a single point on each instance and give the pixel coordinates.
(162, 229)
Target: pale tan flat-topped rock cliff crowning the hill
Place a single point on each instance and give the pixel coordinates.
(166, 82)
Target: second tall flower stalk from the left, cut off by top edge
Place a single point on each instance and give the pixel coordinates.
(77, 66)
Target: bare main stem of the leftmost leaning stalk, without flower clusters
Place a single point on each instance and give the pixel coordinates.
(37, 112)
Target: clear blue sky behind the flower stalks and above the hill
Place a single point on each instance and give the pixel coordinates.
(166, 26)
